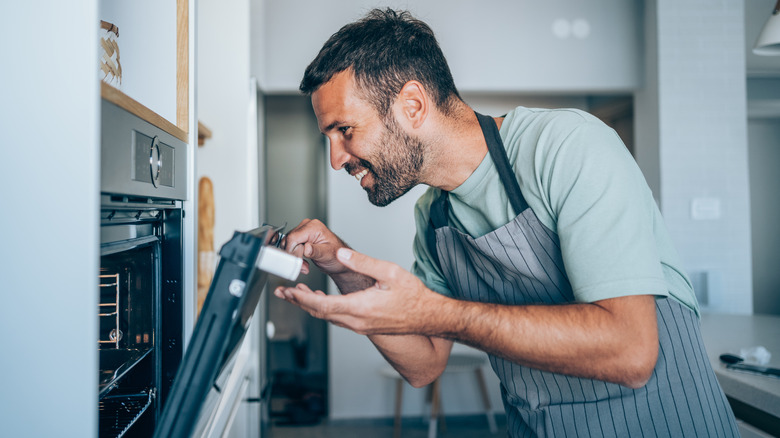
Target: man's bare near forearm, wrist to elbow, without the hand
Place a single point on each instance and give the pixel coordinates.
(614, 340)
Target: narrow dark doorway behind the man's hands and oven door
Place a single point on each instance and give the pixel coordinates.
(297, 356)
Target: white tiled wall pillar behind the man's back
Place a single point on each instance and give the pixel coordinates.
(695, 104)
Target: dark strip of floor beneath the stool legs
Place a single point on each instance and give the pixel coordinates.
(475, 426)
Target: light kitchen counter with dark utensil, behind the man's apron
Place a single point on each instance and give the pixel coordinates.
(759, 395)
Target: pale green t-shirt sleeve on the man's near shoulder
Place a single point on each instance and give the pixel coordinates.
(599, 200)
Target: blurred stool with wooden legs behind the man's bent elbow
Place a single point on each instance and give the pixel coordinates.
(457, 363)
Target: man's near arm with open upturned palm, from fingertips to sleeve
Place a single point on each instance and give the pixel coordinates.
(615, 340)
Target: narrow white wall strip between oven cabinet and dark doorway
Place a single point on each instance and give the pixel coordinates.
(224, 96)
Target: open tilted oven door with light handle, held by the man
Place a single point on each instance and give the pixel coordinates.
(214, 361)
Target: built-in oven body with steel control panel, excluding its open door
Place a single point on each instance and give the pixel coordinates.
(140, 309)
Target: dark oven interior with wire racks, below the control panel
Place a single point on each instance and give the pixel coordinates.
(130, 314)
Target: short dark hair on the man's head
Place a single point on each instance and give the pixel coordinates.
(385, 50)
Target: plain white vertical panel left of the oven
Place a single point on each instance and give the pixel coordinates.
(49, 101)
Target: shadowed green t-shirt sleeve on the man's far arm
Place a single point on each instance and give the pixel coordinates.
(425, 267)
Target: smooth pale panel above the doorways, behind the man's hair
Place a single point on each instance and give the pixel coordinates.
(563, 46)
